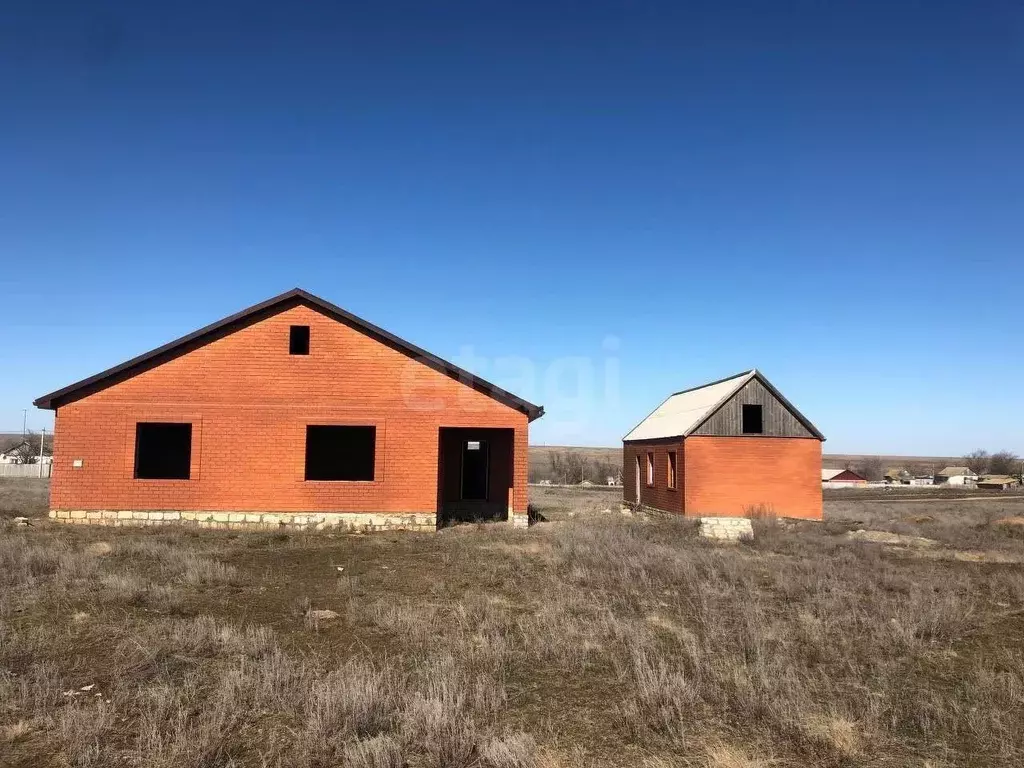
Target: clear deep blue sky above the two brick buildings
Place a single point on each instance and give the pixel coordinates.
(633, 197)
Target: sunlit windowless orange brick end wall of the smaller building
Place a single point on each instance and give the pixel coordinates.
(727, 476)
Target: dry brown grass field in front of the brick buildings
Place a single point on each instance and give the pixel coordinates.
(592, 639)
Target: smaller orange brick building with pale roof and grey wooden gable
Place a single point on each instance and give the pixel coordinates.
(728, 448)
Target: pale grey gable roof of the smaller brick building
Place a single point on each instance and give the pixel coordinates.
(685, 412)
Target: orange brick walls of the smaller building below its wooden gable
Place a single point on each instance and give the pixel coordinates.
(730, 477)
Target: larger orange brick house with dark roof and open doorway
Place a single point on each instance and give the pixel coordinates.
(292, 412)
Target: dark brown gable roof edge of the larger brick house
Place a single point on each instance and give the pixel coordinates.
(261, 312)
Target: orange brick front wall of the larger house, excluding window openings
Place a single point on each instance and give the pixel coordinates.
(249, 403)
